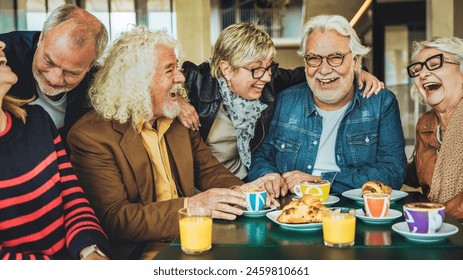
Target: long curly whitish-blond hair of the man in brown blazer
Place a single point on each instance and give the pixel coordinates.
(120, 90)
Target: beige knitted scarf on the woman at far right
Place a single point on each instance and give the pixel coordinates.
(447, 180)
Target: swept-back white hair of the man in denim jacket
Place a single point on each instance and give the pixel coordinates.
(340, 25)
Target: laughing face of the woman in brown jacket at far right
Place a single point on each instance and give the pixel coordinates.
(441, 88)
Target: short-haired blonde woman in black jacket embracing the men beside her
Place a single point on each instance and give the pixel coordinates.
(234, 94)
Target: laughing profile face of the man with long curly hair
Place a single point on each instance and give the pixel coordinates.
(166, 83)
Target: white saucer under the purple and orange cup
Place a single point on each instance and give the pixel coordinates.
(445, 231)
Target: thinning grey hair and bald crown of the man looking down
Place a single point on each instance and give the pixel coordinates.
(87, 26)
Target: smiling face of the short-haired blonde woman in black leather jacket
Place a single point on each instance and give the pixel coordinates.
(241, 81)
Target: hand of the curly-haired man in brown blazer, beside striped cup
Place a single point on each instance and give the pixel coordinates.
(220, 201)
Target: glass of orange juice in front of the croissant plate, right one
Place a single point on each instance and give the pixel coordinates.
(338, 225)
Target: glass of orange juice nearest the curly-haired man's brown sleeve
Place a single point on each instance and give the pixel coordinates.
(195, 229)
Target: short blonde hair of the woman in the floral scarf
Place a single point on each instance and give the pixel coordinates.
(240, 44)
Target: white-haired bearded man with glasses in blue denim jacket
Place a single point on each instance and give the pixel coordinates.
(324, 128)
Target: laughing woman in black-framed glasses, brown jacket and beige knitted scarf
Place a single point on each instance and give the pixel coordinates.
(437, 165)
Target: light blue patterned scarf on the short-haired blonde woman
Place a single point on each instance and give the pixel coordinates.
(244, 115)
